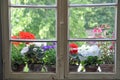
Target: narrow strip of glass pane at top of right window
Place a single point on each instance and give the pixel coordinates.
(91, 1)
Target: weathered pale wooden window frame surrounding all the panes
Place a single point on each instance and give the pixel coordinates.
(62, 43)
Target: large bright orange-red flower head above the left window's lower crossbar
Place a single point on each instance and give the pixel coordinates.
(26, 35)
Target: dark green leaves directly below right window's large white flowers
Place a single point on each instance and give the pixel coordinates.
(91, 60)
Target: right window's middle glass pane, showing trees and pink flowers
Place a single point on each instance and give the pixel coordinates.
(94, 22)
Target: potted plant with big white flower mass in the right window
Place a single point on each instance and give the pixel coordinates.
(89, 55)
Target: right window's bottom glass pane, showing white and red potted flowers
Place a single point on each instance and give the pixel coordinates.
(92, 56)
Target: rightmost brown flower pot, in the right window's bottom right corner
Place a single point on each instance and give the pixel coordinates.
(107, 67)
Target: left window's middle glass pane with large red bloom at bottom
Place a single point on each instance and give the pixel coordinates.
(39, 23)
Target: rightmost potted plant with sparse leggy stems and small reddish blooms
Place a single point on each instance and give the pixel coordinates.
(107, 57)
